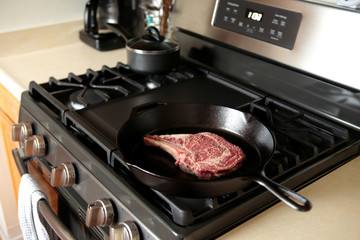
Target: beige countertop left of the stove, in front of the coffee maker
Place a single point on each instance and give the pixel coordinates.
(53, 51)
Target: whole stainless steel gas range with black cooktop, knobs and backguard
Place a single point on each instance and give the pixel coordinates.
(262, 57)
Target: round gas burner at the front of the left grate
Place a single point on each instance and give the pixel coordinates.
(85, 97)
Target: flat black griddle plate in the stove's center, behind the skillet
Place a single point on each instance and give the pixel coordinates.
(109, 117)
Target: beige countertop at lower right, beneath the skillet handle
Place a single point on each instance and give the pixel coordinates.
(335, 214)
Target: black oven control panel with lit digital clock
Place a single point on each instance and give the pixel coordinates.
(266, 23)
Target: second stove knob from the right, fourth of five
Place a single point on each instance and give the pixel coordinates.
(100, 213)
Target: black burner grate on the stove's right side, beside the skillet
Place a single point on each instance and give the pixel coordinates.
(300, 137)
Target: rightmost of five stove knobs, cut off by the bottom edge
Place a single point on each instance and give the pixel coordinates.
(124, 230)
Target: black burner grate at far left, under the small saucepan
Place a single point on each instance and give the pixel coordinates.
(95, 87)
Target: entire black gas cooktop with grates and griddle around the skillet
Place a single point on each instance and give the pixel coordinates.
(307, 146)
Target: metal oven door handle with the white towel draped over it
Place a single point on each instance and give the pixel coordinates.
(51, 218)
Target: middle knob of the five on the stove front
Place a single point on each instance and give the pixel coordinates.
(62, 175)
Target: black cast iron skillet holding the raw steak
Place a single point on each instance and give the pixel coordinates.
(156, 168)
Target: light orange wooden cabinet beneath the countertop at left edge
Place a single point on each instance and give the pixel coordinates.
(9, 114)
